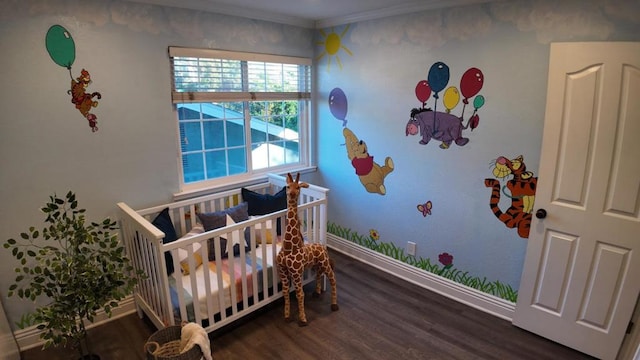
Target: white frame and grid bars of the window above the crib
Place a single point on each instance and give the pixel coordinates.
(304, 115)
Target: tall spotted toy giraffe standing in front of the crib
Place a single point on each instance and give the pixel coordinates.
(295, 257)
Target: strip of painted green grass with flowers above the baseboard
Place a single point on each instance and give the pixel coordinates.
(444, 269)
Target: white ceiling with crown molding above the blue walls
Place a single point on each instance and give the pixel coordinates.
(312, 13)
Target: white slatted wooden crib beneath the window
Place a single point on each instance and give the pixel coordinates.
(216, 292)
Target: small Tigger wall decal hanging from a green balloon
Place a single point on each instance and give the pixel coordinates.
(61, 49)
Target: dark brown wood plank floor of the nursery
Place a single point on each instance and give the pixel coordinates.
(380, 317)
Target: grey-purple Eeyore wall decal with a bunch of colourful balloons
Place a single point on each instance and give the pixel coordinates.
(444, 125)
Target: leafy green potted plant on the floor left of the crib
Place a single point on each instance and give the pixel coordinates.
(75, 267)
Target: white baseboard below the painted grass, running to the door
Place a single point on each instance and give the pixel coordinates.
(477, 299)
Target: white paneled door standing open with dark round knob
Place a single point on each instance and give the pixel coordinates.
(581, 276)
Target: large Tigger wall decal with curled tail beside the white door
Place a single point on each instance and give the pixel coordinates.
(522, 191)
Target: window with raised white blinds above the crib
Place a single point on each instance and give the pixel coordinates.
(239, 114)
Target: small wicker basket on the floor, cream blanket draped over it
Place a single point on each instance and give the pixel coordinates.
(165, 345)
